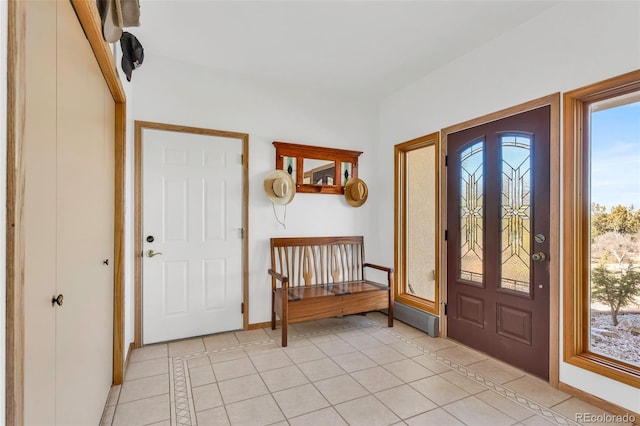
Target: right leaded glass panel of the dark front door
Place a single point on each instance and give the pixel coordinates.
(515, 226)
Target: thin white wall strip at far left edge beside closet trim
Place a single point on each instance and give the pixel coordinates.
(3, 197)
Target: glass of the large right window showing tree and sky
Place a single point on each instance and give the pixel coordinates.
(614, 182)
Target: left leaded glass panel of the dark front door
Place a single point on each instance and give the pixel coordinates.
(472, 212)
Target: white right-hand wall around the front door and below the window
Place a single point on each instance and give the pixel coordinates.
(568, 46)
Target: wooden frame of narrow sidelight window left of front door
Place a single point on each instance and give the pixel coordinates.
(400, 207)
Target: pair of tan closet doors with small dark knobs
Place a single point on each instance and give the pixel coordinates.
(69, 196)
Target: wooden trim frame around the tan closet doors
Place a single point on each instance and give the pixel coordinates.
(89, 19)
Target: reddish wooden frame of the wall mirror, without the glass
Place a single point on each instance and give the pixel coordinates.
(309, 152)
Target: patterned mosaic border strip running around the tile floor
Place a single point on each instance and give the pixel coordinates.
(183, 411)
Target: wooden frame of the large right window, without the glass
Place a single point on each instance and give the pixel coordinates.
(576, 237)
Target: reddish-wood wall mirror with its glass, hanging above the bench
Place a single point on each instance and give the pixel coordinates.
(317, 169)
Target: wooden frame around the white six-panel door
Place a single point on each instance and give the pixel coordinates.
(137, 218)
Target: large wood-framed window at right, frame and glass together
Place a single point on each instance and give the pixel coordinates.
(602, 228)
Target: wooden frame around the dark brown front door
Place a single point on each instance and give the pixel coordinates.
(553, 101)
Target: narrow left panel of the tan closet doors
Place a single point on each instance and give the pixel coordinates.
(40, 213)
